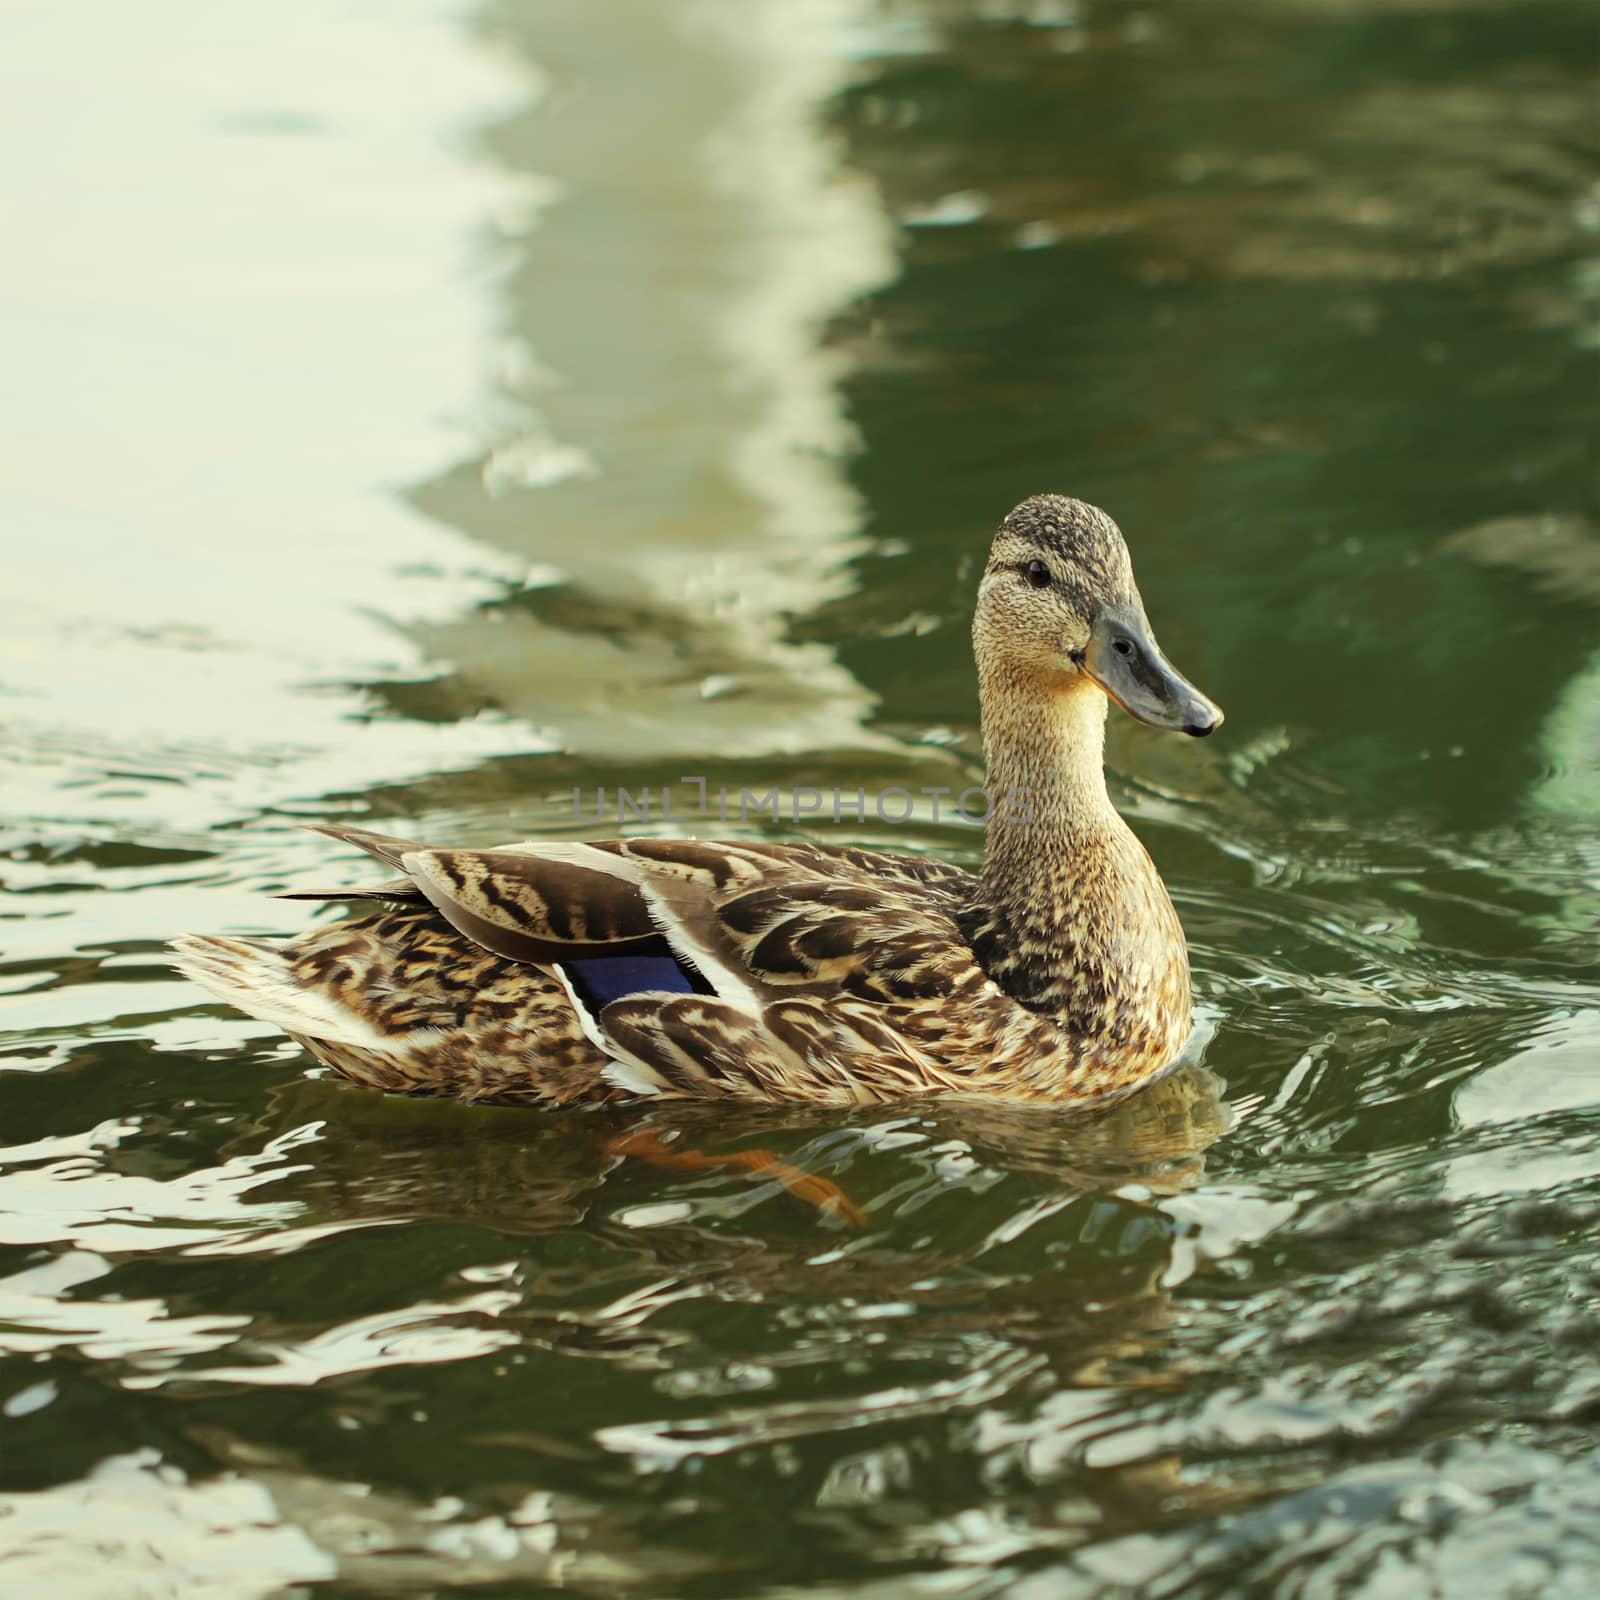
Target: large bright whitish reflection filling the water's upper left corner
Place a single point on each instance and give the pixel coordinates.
(210, 374)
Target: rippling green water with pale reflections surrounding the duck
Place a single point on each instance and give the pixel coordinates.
(415, 412)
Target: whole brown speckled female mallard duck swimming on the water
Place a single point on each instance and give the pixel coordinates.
(761, 972)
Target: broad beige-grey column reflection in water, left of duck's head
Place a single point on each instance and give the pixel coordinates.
(700, 388)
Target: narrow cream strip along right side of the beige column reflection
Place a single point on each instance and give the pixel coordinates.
(818, 241)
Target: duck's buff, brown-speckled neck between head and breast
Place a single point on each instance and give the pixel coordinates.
(1058, 858)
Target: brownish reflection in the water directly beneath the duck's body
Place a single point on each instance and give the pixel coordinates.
(524, 1172)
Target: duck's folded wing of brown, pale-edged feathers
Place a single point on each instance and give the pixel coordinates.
(809, 974)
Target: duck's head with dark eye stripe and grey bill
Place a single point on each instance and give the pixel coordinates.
(1058, 606)
